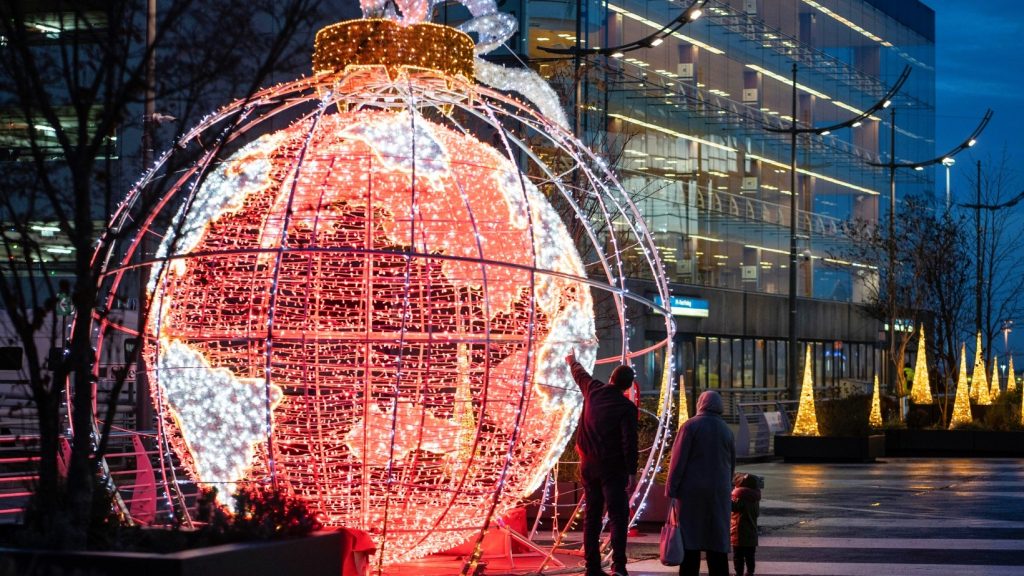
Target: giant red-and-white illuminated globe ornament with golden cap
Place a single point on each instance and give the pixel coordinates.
(363, 291)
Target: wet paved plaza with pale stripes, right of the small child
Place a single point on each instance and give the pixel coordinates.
(904, 517)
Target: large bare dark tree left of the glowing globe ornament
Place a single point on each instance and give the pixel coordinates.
(75, 77)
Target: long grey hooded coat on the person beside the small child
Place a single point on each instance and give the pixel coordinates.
(704, 459)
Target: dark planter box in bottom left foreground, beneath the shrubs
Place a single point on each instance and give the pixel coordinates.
(318, 555)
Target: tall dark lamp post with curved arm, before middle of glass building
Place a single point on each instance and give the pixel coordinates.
(793, 354)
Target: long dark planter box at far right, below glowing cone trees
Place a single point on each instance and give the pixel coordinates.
(906, 442)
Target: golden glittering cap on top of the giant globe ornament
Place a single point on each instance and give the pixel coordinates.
(378, 42)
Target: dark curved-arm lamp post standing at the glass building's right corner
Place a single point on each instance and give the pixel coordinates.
(893, 166)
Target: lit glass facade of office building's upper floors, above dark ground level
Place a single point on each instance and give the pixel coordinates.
(685, 122)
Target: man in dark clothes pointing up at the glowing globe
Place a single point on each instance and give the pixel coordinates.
(607, 441)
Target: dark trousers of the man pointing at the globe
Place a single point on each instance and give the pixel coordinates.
(605, 489)
